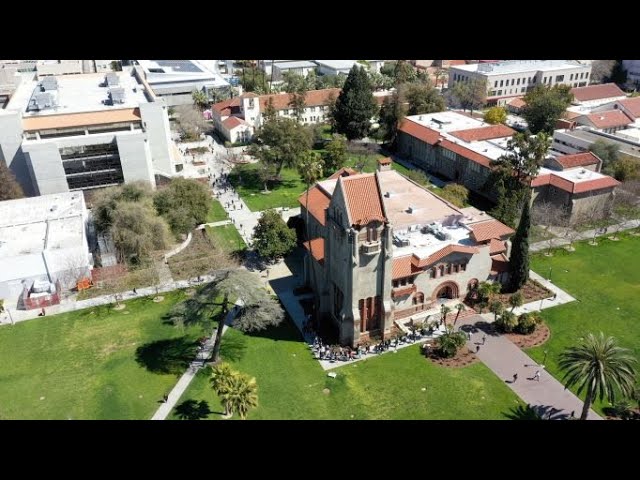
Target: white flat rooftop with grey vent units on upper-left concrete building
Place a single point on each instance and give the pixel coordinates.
(79, 94)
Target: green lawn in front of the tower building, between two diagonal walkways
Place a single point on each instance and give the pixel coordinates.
(291, 383)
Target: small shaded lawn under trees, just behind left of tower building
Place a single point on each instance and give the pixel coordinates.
(246, 181)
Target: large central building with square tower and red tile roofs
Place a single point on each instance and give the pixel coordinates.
(384, 248)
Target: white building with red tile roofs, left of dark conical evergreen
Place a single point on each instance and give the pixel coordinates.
(236, 119)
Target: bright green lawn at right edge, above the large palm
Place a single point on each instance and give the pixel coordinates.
(606, 281)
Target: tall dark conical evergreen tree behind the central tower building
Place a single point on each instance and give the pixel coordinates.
(355, 105)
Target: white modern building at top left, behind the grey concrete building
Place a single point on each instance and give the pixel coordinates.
(175, 80)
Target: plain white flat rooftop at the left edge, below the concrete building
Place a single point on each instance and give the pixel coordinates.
(50, 222)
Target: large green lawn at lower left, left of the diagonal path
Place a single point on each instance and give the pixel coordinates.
(82, 365)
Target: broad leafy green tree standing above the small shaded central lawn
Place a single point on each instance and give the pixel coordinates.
(280, 142)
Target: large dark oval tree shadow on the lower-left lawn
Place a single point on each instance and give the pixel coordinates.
(172, 355)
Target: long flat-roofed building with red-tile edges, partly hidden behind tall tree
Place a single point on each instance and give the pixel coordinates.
(464, 149)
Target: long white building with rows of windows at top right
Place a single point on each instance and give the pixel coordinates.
(513, 78)
